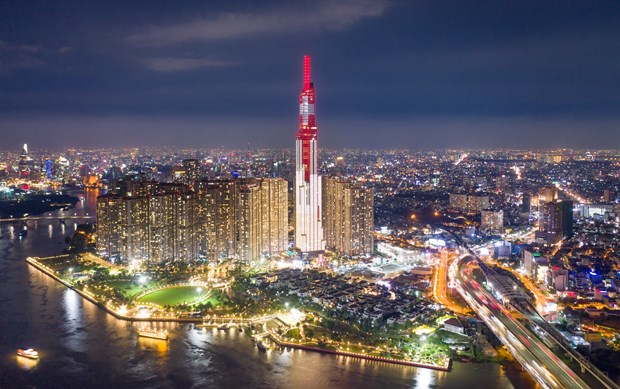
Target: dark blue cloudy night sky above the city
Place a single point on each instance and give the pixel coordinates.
(416, 74)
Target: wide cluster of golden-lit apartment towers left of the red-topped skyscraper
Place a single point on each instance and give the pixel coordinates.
(243, 219)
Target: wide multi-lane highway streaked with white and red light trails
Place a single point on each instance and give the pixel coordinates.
(535, 357)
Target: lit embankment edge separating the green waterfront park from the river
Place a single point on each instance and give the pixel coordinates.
(35, 262)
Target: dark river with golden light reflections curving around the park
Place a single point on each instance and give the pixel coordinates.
(83, 347)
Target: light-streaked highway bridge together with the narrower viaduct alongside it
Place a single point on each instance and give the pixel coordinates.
(488, 294)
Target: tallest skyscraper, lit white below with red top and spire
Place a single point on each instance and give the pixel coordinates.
(308, 227)
